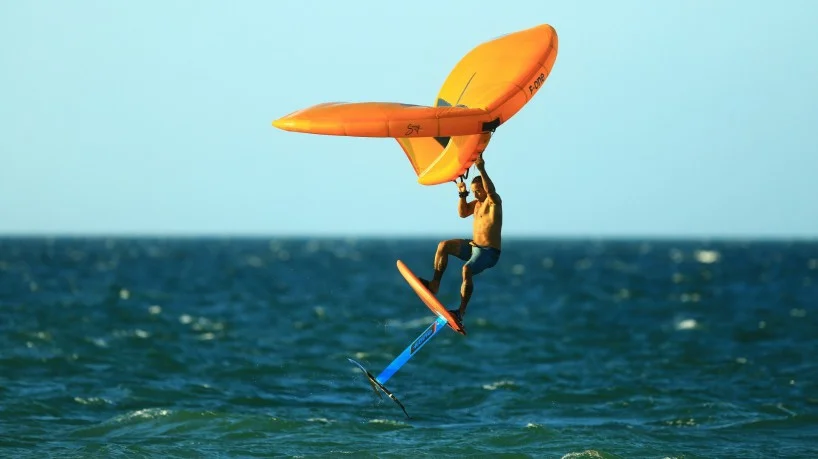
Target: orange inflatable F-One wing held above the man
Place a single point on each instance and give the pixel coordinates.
(485, 89)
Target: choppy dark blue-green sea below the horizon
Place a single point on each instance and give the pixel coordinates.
(238, 347)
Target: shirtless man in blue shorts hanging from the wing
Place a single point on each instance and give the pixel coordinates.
(481, 252)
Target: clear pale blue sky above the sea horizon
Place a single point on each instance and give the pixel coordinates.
(693, 118)
